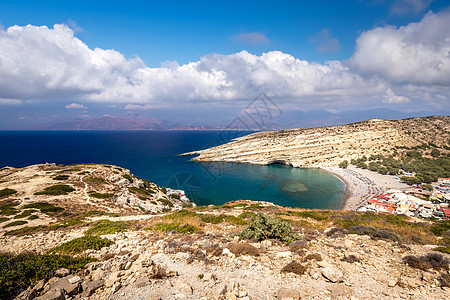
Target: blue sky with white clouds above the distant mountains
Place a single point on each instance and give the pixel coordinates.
(205, 61)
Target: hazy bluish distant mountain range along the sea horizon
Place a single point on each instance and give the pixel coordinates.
(287, 120)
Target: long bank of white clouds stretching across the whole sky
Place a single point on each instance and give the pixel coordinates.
(51, 64)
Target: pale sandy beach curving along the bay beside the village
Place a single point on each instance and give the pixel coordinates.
(361, 184)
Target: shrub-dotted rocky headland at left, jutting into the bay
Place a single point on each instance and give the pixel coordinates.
(49, 194)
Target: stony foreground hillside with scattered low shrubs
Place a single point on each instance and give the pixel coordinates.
(220, 253)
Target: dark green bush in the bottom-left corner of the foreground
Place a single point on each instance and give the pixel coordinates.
(17, 272)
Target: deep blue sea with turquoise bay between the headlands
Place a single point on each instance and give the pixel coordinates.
(153, 155)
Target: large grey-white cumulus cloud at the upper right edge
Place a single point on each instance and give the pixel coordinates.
(417, 53)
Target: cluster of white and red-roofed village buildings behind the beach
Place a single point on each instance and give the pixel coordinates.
(401, 202)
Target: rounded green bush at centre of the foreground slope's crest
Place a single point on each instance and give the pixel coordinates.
(264, 227)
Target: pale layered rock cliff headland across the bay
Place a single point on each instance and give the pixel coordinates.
(328, 146)
